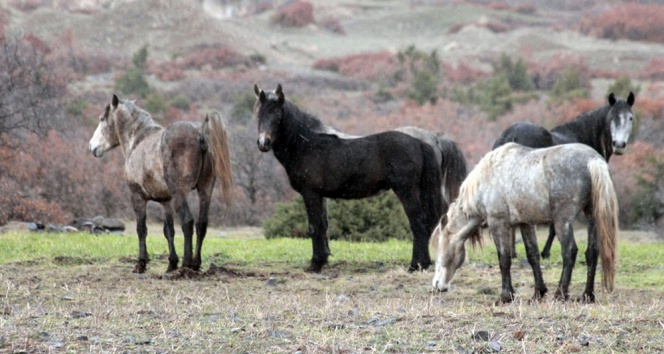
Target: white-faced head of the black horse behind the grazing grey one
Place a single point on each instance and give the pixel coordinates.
(621, 119)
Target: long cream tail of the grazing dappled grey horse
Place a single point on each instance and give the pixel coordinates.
(605, 213)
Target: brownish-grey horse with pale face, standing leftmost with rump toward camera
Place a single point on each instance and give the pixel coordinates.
(163, 165)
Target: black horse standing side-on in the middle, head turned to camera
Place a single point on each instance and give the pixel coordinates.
(323, 166)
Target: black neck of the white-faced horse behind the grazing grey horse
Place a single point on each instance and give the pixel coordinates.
(591, 129)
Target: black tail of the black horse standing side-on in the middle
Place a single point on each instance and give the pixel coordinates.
(432, 200)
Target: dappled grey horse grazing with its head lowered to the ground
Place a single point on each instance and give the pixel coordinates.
(519, 186)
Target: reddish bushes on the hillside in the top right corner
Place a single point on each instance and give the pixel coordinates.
(641, 22)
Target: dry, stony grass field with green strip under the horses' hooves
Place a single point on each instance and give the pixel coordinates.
(76, 293)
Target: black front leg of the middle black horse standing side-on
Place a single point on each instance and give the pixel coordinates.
(317, 215)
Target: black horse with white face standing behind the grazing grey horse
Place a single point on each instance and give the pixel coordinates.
(606, 129)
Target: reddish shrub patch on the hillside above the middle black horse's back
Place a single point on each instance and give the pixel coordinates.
(369, 66)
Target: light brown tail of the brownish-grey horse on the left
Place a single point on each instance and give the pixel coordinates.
(216, 140)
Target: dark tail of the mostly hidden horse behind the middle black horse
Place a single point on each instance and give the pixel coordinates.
(453, 168)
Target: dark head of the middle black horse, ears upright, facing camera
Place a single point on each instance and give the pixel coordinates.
(269, 111)
